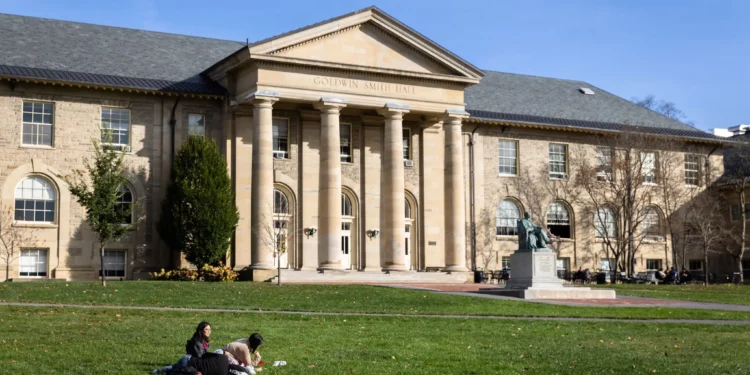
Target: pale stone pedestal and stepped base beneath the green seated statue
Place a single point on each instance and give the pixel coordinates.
(534, 276)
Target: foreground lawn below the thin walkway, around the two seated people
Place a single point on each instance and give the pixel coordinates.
(52, 340)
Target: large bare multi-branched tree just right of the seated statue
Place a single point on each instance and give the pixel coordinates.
(619, 187)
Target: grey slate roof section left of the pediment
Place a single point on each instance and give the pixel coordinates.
(85, 53)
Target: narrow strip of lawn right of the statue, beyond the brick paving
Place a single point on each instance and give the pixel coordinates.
(728, 293)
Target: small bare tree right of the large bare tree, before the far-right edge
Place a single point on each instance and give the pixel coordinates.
(705, 226)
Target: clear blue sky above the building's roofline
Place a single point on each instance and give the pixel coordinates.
(693, 53)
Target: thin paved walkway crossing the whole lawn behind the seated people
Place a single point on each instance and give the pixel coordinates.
(510, 318)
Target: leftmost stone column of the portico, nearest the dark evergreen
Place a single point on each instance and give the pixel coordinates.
(262, 180)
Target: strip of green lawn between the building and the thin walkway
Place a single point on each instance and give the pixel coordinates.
(321, 298)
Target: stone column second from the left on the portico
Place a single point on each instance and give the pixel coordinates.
(329, 197)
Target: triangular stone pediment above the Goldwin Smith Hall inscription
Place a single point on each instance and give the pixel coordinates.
(370, 39)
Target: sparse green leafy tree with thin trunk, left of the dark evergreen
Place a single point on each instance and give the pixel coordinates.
(107, 218)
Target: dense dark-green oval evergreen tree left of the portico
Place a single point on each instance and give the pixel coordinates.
(199, 214)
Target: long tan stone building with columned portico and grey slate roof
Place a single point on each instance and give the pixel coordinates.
(372, 147)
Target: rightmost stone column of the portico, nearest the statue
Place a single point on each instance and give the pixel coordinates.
(455, 215)
